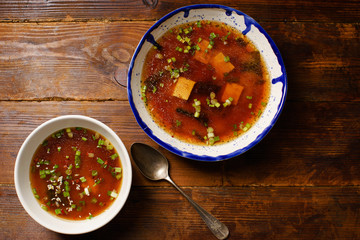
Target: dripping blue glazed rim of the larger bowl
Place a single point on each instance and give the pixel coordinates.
(283, 79)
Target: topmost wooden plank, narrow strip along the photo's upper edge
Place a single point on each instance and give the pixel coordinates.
(114, 10)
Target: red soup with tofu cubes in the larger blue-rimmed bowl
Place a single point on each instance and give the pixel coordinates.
(206, 83)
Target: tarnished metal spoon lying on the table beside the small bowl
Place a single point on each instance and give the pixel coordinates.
(153, 165)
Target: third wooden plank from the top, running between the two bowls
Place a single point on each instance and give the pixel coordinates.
(316, 147)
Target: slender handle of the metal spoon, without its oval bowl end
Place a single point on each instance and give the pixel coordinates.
(217, 228)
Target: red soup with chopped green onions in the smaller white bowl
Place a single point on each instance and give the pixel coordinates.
(75, 173)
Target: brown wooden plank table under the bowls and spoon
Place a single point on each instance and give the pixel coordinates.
(301, 182)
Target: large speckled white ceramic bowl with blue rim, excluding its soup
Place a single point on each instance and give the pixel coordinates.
(262, 41)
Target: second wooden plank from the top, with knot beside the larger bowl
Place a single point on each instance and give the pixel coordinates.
(68, 61)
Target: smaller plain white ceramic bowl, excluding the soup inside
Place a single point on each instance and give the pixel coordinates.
(22, 178)
